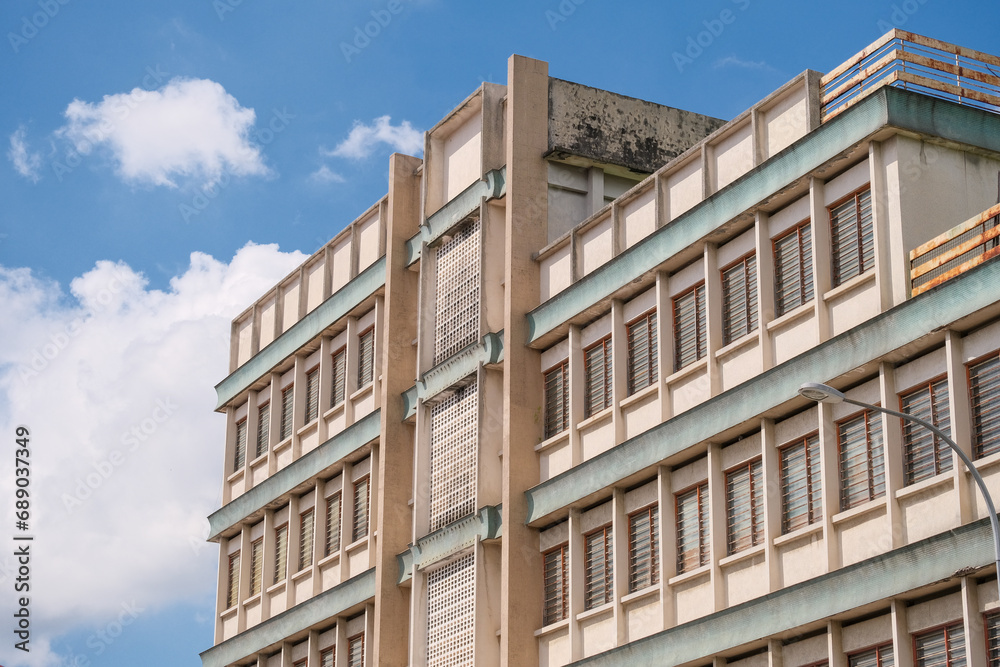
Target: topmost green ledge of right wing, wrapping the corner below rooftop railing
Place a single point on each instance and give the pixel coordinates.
(889, 106)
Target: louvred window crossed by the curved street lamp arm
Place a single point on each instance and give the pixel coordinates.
(925, 454)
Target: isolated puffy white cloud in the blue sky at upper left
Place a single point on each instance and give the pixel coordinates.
(190, 129)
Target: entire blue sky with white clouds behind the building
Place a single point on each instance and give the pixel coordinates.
(167, 162)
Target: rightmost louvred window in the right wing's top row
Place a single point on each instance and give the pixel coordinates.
(853, 237)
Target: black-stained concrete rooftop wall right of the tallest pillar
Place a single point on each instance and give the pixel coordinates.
(613, 129)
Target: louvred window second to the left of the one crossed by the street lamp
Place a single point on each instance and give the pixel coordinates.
(801, 484)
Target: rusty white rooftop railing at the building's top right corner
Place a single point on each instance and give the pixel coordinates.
(906, 60)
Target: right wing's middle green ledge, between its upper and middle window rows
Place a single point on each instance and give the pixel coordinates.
(870, 340)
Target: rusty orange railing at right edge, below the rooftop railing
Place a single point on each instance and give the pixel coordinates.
(956, 251)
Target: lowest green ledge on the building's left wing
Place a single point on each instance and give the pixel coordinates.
(324, 606)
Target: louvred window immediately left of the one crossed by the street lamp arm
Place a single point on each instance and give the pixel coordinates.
(862, 469)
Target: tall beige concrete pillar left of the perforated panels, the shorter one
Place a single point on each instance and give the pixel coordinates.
(391, 510)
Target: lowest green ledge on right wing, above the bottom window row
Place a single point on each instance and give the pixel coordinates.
(885, 576)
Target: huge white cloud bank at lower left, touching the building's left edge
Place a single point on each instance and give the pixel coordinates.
(116, 382)
